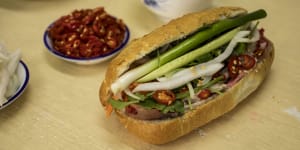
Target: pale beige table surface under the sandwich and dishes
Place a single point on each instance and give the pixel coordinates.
(60, 107)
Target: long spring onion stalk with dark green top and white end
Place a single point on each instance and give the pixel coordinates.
(126, 79)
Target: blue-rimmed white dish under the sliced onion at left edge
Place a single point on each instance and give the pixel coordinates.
(23, 75)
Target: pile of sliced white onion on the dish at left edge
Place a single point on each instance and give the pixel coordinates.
(9, 81)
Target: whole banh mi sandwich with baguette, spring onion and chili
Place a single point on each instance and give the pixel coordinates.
(187, 73)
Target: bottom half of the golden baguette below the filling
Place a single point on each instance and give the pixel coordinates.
(163, 131)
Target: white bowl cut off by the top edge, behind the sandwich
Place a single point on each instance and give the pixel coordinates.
(170, 9)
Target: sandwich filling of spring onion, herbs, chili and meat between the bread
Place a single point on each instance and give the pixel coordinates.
(190, 72)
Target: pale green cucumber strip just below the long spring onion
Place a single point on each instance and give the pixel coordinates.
(185, 59)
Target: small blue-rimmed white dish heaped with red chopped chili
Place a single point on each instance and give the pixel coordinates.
(86, 36)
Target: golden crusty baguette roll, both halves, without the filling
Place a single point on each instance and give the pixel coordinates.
(161, 129)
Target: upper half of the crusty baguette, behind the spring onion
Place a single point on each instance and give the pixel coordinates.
(174, 30)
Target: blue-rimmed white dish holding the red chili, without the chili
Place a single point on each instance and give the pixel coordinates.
(85, 61)
